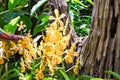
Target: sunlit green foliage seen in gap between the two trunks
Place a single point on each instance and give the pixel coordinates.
(80, 12)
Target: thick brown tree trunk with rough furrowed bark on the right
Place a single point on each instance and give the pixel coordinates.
(101, 51)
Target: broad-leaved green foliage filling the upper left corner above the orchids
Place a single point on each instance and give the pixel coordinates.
(14, 11)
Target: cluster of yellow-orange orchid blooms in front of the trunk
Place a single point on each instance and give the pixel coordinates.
(53, 49)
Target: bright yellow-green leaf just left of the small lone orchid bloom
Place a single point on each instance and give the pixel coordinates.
(11, 26)
